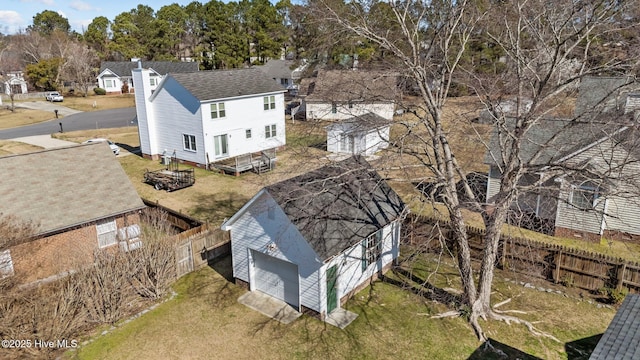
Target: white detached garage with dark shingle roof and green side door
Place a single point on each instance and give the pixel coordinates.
(316, 239)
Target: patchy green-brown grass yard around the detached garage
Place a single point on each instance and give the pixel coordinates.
(205, 321)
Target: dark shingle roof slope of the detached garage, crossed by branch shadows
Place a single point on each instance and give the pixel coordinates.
(338, 205)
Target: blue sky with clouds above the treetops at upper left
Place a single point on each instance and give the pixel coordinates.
(16, 15)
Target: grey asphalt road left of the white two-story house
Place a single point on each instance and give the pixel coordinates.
(79, 121)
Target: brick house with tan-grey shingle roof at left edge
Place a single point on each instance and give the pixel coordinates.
(80, 200)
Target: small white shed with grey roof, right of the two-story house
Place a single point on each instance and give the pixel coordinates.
(359, 135)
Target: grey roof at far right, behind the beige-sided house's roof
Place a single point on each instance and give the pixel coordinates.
(594, 90)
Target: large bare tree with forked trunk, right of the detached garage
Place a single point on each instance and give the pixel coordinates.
(547, 49)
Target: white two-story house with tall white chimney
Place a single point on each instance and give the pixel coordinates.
(205, 117)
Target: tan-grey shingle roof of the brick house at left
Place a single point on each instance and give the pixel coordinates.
(66, 187)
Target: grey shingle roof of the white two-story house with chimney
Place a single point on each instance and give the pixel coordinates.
(222, 84)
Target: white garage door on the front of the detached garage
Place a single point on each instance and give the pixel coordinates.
(276, 277)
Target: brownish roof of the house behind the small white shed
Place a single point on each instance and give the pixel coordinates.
(352, 85)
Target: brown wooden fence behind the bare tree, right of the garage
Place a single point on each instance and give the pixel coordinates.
(560, 264)
